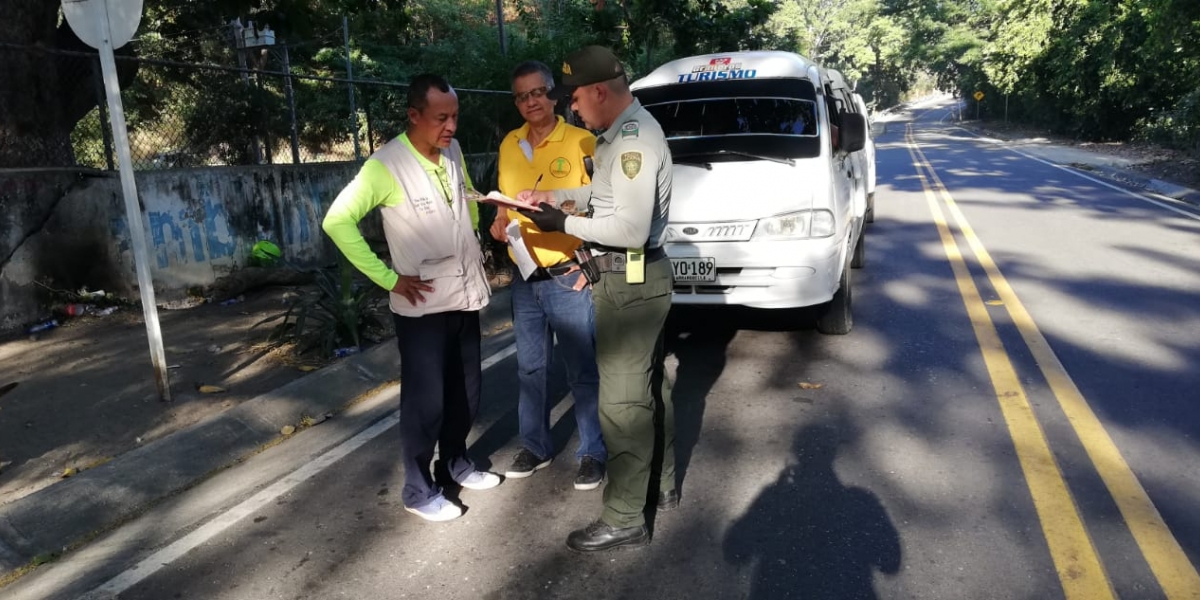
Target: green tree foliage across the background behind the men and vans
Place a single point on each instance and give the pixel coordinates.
(1096, 69)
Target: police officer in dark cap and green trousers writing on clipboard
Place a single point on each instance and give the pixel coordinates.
(628, 203)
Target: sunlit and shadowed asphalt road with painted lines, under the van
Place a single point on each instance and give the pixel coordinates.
(1013, 417)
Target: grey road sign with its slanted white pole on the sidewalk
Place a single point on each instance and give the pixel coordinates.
(106, 26)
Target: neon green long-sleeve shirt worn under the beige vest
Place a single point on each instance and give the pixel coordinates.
(375, 187)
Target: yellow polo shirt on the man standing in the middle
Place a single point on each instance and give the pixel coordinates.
(560, 161)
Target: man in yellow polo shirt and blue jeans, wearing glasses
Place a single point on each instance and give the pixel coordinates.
(556, 301)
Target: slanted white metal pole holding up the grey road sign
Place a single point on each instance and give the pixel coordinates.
(134, 217)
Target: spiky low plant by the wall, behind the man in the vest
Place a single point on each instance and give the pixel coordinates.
(335, 315)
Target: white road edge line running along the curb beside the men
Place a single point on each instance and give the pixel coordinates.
(152, 565)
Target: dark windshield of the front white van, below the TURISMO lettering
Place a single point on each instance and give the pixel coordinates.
(725, 122)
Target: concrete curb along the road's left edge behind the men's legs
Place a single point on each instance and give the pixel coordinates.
(70, 513)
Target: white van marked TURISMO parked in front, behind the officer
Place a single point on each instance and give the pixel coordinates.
(767, 211)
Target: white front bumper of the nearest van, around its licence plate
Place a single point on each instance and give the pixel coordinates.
(764, 274)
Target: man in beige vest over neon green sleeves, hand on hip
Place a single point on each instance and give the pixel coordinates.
(437, 283)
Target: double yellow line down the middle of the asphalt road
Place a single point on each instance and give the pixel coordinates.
(1076, 560)
